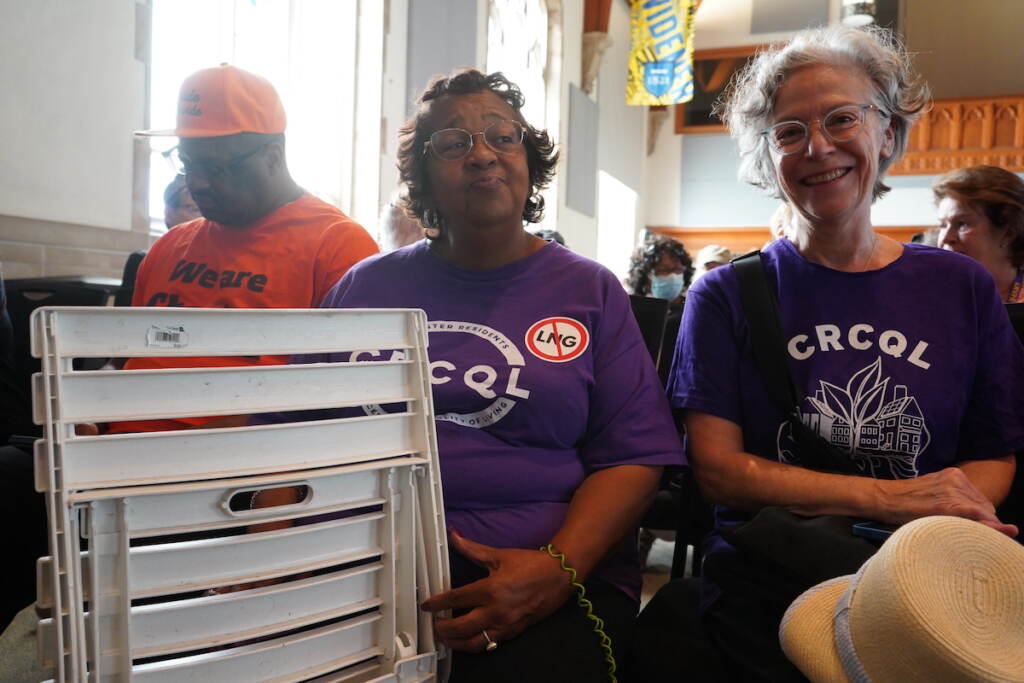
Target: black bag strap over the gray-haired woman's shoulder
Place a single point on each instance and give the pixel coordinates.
(761, 312)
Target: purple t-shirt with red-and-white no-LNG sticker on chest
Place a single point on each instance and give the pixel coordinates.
(540, 377)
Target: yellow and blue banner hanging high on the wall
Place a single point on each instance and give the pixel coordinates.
(662, 53)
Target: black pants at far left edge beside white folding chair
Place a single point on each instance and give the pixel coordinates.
(26, 535)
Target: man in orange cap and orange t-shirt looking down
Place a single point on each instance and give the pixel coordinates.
(263, 241)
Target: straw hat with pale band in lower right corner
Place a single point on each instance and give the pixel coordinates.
(943, 601)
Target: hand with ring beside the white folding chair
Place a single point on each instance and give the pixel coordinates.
(524, 587)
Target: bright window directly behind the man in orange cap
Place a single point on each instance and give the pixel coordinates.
(309, 50)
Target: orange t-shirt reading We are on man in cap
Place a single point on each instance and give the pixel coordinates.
(290, 259)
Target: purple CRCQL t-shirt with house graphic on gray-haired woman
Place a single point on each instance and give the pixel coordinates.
(912, 368)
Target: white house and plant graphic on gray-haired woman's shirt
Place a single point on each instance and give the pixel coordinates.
(883, 431)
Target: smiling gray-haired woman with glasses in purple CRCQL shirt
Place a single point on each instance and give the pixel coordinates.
(918, 393)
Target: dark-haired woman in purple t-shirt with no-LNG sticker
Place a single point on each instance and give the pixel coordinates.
(551, 424)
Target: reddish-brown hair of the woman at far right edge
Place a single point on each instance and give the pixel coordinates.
(997, 193)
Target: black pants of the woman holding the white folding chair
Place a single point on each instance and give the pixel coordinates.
(563, 648)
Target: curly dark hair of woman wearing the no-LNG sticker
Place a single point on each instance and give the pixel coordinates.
(541, 155)
